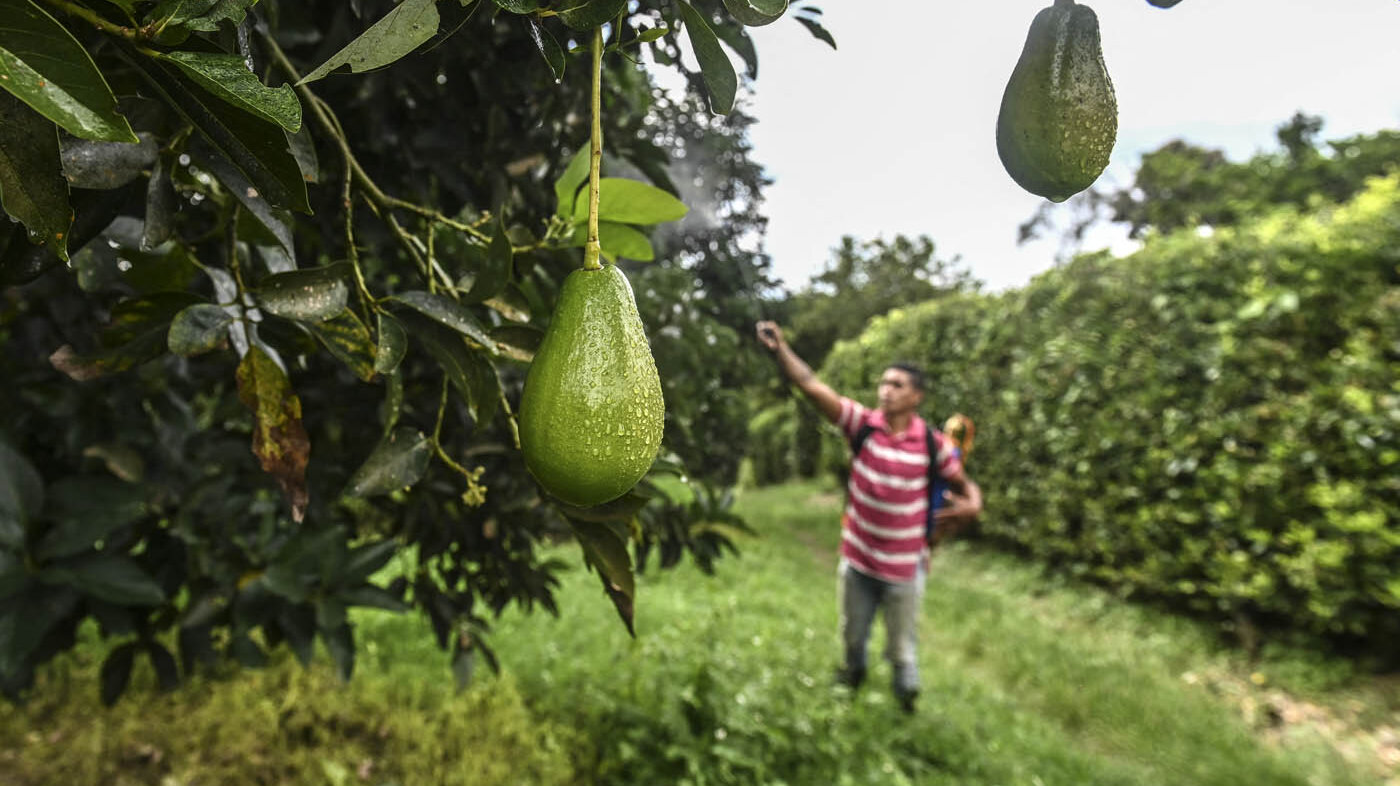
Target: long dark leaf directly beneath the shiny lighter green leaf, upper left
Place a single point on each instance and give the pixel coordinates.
(257, 149)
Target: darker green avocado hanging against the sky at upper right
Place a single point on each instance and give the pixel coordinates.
(1059, 117)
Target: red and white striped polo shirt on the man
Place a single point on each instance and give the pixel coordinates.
(887, 501)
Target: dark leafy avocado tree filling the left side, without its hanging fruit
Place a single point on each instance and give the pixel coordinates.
(225, 243)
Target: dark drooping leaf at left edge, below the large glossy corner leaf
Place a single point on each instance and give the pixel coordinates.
(31, 176)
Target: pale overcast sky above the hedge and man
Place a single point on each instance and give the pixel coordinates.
(895, 132)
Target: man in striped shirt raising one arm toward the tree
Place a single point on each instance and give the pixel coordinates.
(888, 519)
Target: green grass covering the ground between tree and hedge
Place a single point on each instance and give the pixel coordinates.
(1027, 682)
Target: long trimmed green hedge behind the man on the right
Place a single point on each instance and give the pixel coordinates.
(1213, 421)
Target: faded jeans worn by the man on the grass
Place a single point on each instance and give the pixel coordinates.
(859, 598)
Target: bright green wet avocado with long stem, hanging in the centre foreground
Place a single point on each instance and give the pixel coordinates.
(593, 413)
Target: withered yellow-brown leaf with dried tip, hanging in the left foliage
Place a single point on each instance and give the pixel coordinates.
(281, 441)
